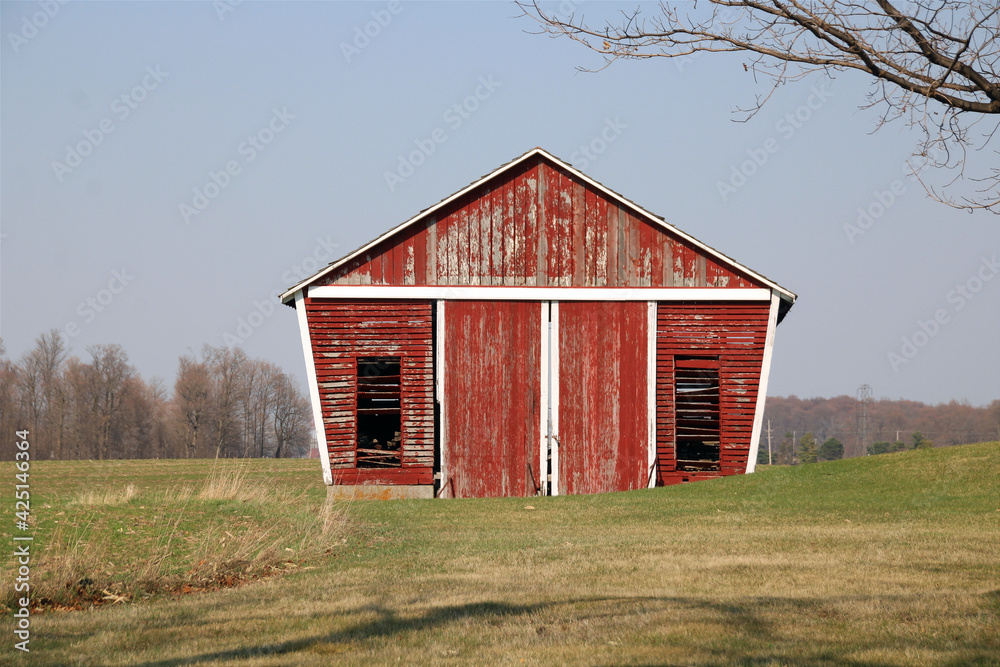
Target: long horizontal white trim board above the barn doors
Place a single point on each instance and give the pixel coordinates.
(476, 293)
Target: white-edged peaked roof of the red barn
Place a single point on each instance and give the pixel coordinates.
(787, 296)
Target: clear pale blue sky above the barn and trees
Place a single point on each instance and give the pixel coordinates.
(162, 95)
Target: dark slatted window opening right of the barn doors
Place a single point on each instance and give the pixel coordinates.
(696, 408)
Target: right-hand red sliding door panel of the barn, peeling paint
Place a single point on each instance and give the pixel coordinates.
(603, 425)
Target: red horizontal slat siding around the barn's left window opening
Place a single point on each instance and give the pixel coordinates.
(342, 331)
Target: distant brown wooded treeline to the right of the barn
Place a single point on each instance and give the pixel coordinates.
(889, 425)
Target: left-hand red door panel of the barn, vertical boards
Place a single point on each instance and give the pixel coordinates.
(492, 385)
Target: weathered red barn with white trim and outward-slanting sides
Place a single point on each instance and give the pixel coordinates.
(535, 333)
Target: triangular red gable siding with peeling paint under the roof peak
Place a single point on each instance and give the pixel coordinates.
(536, 224)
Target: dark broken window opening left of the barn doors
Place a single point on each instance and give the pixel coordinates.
(379, 413)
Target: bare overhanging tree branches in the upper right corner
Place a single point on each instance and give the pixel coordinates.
(932, 63)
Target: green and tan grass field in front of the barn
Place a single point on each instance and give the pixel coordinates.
(888, 560)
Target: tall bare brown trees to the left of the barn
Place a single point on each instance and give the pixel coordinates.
(223, 404)
